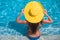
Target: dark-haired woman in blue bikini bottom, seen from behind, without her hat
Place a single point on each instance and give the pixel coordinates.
(33, 32)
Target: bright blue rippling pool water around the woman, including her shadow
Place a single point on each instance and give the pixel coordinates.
(10, 9)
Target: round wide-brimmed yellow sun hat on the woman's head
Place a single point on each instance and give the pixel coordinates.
(33, 12)
